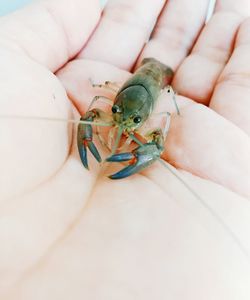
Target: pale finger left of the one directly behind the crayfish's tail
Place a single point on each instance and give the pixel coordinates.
(123, 31)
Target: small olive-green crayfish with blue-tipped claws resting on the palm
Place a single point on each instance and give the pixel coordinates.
(134, 102)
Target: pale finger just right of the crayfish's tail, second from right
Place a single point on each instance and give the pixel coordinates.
(198, 73)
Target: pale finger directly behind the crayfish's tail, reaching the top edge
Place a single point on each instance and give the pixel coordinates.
(176, 31)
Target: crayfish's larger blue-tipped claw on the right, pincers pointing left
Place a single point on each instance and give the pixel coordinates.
(140, 158)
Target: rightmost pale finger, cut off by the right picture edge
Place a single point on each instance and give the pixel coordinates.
(232, 91)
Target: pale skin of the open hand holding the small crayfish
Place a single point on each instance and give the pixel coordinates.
(69, 233)
